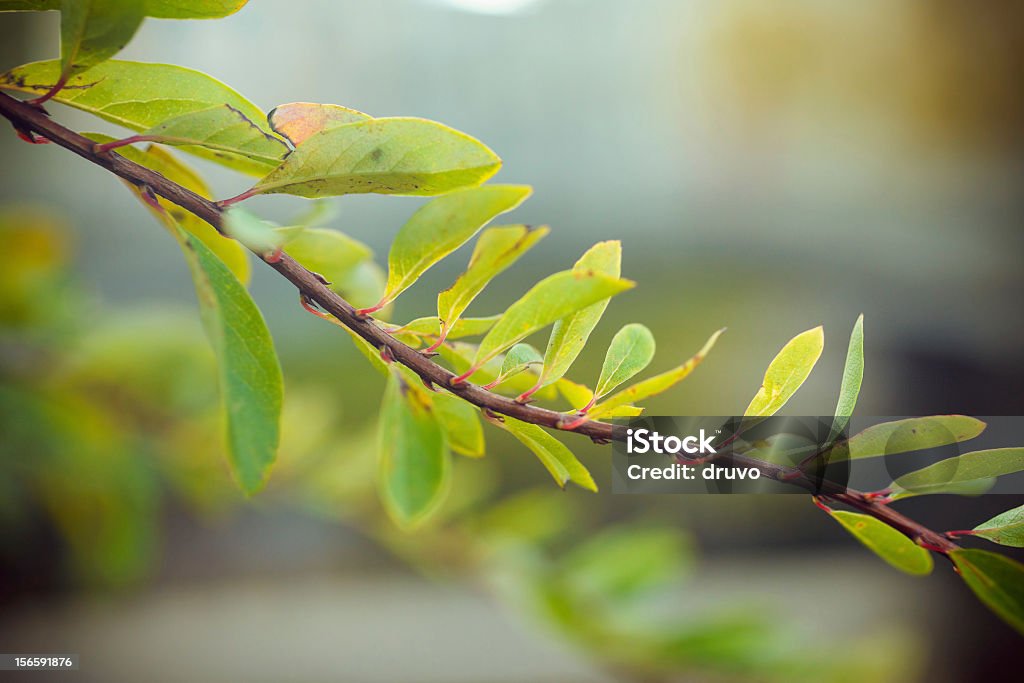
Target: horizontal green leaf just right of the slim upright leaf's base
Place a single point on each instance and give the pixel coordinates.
(914, 435)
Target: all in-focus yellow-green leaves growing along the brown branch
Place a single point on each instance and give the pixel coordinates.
(315, 151)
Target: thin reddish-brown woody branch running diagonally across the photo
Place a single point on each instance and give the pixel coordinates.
(25, 117)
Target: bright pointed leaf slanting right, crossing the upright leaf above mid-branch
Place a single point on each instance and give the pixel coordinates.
(553, 298)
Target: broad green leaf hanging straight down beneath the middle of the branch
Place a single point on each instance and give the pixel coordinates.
(415, 466)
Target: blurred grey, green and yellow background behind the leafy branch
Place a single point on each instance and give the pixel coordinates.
(769, 167)
